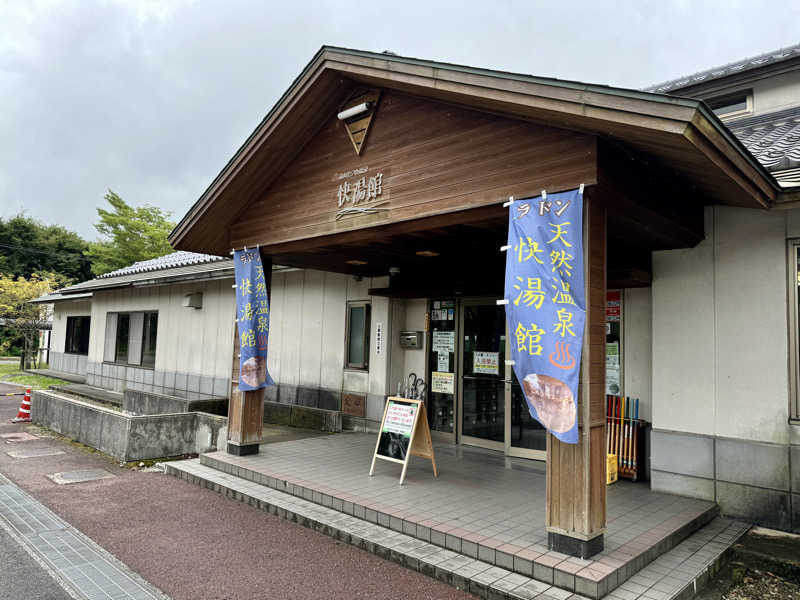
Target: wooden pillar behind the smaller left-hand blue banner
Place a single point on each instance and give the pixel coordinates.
(246, 409)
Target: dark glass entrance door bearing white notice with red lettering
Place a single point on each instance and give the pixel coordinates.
(483, 382)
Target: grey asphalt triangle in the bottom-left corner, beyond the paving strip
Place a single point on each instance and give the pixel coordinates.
(21, 577)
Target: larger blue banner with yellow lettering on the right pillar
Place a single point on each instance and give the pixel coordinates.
(546, 308)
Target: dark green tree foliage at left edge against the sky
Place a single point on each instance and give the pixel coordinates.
(28, 246)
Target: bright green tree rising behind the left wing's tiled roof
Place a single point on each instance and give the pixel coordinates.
(132, 234)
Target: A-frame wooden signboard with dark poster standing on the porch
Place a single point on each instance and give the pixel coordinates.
(404, 433)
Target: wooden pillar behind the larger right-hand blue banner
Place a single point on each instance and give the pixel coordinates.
(576, 473)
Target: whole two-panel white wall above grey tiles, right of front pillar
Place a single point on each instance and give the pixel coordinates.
(720, 347)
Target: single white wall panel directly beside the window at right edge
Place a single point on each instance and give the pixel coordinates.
(751, 325)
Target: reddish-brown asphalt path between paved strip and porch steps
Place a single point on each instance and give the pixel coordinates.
(194, 544)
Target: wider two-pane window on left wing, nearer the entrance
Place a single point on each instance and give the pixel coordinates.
(131, 338)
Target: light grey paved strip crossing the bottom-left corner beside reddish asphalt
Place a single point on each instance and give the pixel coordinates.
(82, 567)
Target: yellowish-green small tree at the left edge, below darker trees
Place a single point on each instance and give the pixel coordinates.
(18, 316)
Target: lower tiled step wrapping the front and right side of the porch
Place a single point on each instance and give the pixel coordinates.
(677, 573)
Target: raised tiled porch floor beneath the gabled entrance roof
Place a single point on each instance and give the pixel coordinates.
(482, 505)
